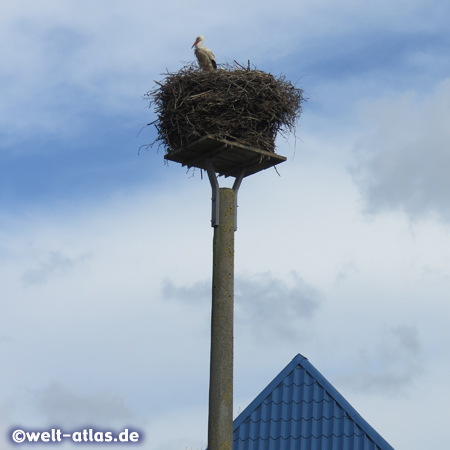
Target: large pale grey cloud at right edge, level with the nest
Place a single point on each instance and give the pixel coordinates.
(404, 163)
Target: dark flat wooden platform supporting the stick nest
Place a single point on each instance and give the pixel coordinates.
(228, 158)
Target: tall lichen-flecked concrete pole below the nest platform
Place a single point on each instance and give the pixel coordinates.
(220, 421)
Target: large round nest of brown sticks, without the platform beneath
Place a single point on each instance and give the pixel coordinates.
(239, 104)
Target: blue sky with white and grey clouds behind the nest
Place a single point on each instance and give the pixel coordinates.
(106, 252)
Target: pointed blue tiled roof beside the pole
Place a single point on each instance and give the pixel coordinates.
(301, 410)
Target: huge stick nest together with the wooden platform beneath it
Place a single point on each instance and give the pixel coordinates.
(235, 108)
